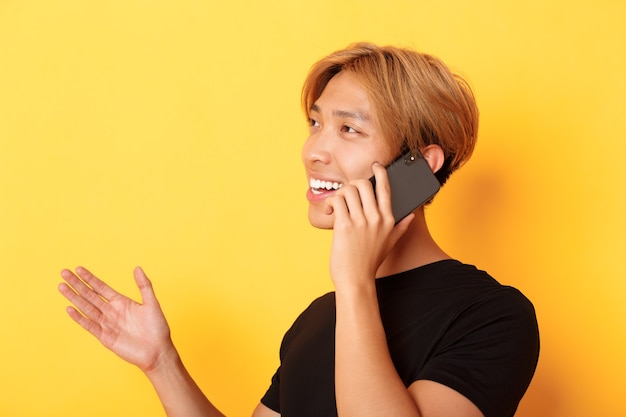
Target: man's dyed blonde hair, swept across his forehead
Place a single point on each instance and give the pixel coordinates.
(417, 100)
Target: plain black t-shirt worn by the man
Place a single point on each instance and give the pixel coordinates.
(446, 322)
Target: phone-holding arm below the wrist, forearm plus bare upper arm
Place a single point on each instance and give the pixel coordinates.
(367, 382)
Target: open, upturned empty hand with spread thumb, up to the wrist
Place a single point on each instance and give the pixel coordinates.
(138, 333)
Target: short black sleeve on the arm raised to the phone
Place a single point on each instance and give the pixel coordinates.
(489, 352)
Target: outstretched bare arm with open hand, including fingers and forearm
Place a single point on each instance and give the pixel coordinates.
(137, 333)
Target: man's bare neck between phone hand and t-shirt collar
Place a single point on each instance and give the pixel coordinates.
(414, 249)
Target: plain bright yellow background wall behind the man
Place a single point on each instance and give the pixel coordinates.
(167, 134)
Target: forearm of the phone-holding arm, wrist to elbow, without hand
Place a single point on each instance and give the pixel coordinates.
(367, 383)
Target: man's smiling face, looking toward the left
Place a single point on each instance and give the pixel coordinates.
(343, 143)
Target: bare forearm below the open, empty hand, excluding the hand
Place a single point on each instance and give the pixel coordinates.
(177, 391)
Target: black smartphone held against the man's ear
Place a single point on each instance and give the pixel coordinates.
(412, 183)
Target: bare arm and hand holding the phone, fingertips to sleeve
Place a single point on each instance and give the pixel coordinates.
(366, 381)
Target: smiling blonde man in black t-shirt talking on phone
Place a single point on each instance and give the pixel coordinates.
(408, 331)
